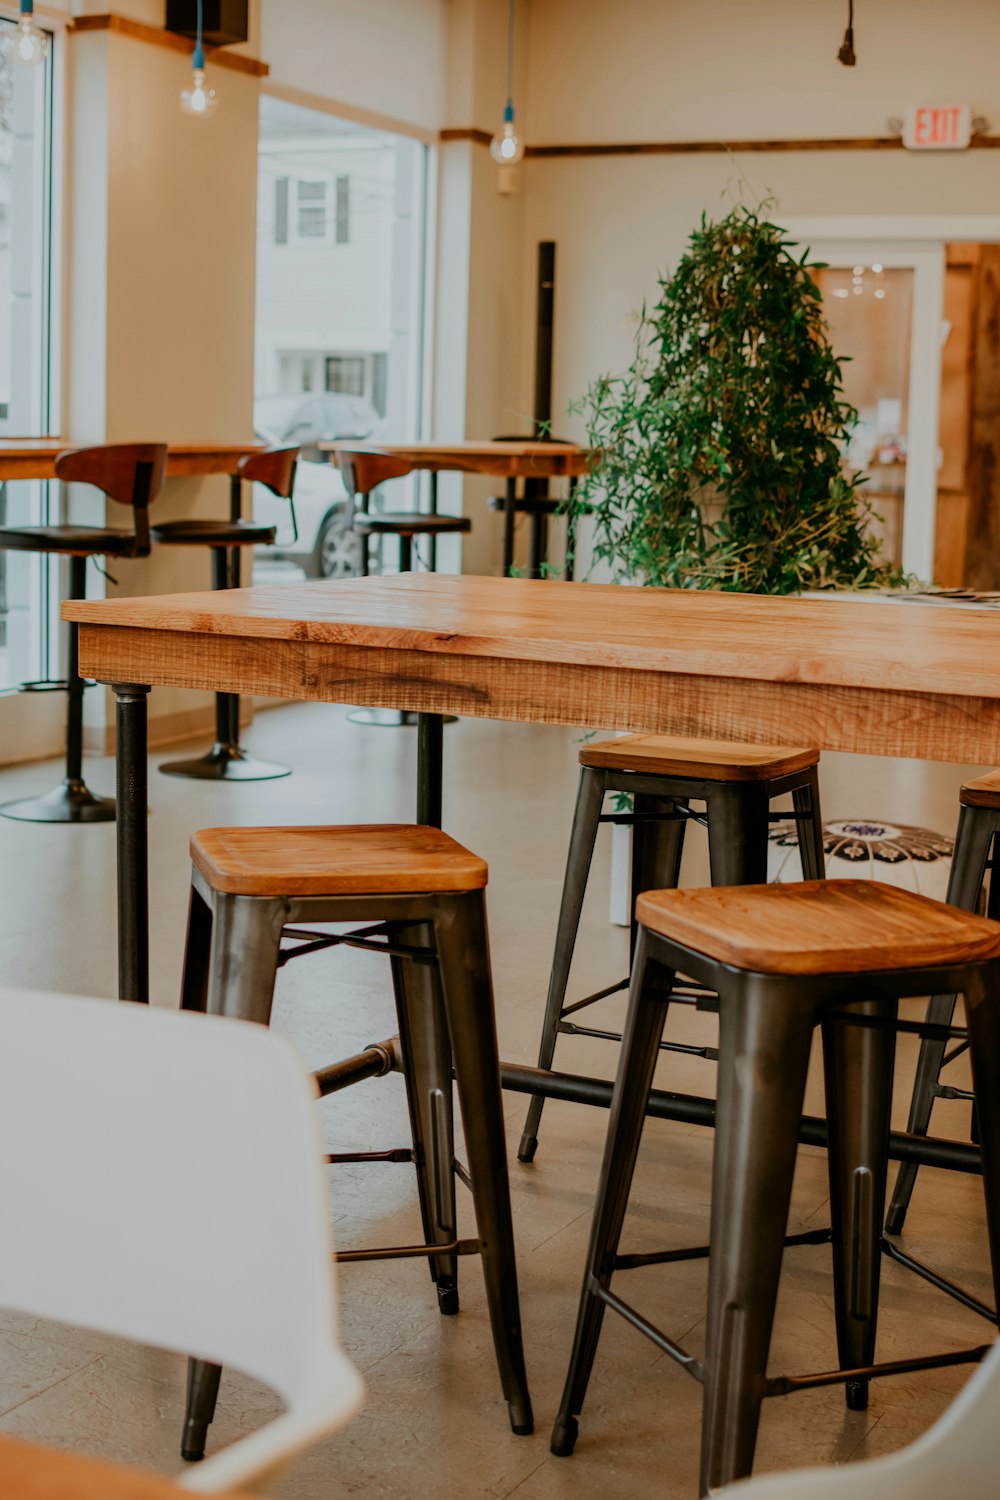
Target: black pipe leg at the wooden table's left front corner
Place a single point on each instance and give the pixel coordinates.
(134, 904)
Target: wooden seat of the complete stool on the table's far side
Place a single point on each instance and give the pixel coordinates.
(707, 760)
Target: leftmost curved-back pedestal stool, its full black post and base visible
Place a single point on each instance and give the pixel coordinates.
(131, 475)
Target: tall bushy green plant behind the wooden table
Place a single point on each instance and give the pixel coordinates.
(722, 445)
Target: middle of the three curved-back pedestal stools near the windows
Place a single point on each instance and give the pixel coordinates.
(229, 761)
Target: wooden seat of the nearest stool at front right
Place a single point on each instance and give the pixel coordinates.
(819, 928)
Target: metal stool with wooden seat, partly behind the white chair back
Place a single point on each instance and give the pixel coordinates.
(422, 899)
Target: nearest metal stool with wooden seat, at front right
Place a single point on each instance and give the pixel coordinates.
(785, 959)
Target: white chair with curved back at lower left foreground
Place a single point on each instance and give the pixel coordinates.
(106, 1111)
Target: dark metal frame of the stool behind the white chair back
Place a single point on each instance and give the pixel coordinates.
(439, 947)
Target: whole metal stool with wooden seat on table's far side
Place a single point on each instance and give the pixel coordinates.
(663, 776)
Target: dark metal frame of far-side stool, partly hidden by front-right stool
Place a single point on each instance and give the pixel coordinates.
(737, 817)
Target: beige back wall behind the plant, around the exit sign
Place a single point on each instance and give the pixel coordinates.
(725, 70)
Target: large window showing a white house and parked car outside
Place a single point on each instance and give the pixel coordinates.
(341, 280)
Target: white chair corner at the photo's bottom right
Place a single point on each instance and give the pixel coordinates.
(960, 1457)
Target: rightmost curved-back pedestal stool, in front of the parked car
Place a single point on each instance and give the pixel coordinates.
(364, 472)
